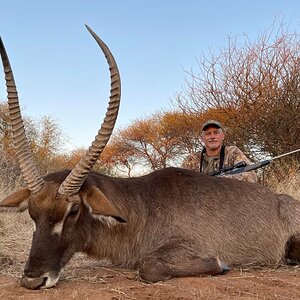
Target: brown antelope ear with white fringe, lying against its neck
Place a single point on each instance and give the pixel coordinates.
(99, 204)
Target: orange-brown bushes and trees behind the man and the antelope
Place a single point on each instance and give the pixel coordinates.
(252, 87)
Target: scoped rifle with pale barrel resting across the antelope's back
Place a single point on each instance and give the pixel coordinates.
(241, 166)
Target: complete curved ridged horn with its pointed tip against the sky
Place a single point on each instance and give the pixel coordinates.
(77, 176)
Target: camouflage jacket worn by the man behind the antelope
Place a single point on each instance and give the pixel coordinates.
(233, 155)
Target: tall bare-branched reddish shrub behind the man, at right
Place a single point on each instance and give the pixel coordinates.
(255, 87)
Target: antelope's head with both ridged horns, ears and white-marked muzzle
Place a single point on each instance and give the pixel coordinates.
(58, 206)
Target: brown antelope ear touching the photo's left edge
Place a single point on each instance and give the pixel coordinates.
(16, 202)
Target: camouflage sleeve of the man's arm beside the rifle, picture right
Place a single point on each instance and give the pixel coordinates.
(233, 155)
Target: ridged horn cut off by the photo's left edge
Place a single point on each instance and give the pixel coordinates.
(29, 171)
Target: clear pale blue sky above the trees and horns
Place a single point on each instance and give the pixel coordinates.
(60, 71)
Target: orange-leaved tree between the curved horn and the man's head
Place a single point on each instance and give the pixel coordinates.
(153, 143)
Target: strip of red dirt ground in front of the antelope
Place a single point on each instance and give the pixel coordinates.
(105, 283)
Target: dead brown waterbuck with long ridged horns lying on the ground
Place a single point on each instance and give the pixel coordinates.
(170, 223)
